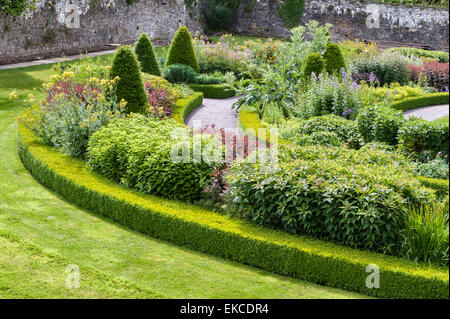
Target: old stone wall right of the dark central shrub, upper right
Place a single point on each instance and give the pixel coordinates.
(410, 24)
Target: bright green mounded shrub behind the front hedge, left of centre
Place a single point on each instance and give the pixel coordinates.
(136, 151)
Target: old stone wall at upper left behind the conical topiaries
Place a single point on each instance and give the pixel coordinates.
(44, 32)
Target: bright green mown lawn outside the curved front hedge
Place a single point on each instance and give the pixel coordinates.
(42, 233)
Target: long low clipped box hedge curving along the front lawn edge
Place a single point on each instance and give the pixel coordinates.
(238, 240)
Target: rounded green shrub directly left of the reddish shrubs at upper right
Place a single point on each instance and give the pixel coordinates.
(389, 68)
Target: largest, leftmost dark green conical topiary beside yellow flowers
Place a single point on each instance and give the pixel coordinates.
(130, 86)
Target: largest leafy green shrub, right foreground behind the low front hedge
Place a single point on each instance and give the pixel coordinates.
(355, 198)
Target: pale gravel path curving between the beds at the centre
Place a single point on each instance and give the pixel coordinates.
(214, 111)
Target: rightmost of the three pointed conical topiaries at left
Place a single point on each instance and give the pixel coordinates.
(181, 50)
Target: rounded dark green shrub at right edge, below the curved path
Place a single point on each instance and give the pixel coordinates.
(424, 139)
